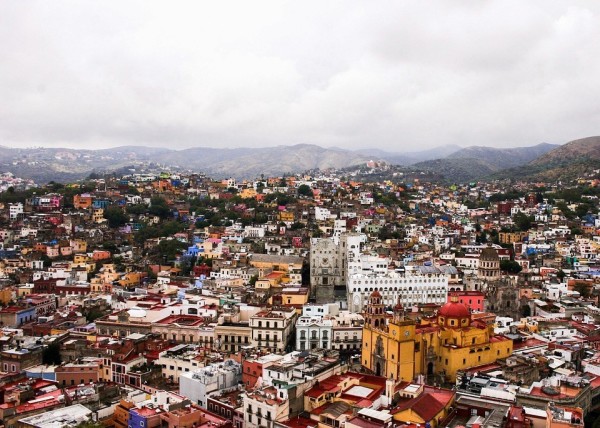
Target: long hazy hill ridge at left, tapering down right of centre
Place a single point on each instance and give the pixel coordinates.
(44, 164)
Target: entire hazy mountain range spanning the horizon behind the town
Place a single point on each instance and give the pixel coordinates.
(451, 163)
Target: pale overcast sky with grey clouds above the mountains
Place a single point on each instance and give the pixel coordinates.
(394, 75)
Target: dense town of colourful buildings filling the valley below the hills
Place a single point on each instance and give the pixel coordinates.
(175, 300)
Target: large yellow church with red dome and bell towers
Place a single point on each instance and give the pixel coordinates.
(399, 348)
